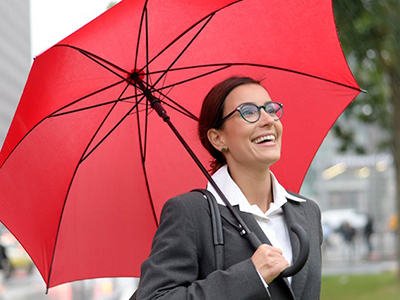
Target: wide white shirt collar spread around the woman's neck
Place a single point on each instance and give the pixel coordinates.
(235, 196)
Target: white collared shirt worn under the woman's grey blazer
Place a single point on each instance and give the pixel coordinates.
(272, 222)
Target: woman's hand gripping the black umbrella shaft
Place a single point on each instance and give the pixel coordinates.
(269, 262)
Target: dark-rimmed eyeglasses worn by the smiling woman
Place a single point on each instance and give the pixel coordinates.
(251, 112)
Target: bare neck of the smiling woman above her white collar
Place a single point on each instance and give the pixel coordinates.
(256, 186)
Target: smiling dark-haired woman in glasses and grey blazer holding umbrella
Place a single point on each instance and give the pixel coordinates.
(240, 126)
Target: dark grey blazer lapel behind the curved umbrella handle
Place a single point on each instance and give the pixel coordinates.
(294, 214)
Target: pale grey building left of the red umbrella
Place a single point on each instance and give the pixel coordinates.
(15, 57)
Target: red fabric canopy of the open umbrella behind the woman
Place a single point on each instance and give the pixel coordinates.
(87, 164)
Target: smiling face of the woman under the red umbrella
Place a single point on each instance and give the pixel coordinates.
(256, 145)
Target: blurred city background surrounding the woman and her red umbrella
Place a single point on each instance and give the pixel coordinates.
(352, 178)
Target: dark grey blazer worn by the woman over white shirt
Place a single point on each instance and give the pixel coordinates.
(181, 263)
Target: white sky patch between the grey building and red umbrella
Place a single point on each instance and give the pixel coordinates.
(53, 20)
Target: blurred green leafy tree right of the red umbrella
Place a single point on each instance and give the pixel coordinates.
(369, 31)
